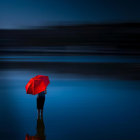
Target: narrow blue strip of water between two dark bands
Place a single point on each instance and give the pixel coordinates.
(80, 59)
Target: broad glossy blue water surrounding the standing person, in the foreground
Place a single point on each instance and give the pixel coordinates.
(75, 108)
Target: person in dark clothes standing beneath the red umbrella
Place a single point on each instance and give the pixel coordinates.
(40, 102)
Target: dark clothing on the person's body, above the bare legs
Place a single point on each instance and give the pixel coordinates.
(40, 100)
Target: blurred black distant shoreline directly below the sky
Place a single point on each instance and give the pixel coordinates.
(119, 38)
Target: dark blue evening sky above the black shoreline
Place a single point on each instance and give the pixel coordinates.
(26, 13)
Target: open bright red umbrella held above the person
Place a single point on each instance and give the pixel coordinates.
(37, 84)
